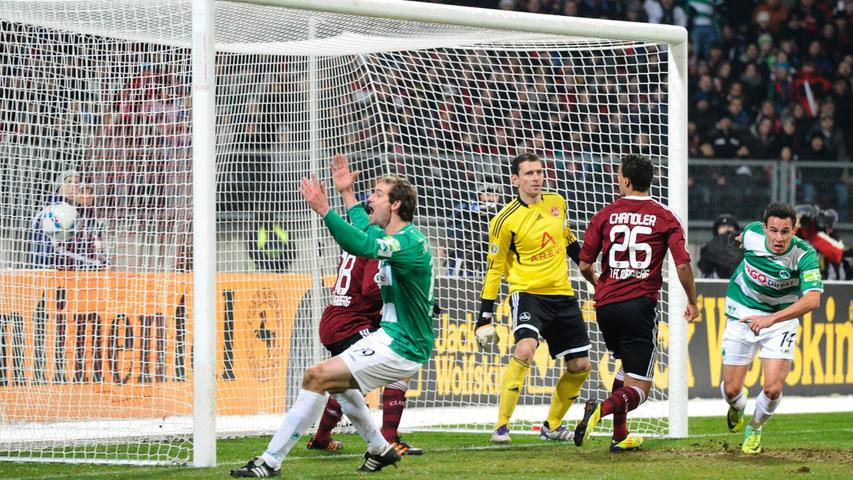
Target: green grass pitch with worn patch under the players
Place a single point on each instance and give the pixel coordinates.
(816, 446)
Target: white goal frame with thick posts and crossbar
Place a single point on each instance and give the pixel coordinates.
(204, 446)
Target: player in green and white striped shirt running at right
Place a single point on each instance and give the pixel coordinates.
(777, 282)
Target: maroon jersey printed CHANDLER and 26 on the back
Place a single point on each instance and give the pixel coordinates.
(632, 234)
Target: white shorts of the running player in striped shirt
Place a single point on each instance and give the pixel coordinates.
(740, 344)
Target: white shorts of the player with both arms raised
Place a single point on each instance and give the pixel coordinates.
(373, 364)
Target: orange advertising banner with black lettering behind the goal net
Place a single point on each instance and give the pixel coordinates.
(118, 345)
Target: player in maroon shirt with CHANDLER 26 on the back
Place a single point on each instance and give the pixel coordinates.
(633, 234)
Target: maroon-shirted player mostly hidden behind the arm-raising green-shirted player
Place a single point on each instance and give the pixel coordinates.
(353, 313)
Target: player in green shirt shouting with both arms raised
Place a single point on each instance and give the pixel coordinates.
(403, 342)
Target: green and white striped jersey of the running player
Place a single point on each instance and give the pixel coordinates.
(765, 282)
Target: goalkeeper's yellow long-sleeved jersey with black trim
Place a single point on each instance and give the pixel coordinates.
(527, 243)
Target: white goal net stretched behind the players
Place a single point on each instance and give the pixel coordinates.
(96, 257)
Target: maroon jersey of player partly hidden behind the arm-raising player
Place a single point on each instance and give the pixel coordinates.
(356, 303)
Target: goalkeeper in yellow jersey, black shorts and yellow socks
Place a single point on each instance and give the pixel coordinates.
(529, 240)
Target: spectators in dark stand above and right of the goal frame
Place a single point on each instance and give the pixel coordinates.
(769, 80)
